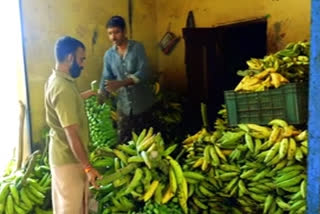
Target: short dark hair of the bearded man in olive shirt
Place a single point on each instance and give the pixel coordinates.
(66, 45)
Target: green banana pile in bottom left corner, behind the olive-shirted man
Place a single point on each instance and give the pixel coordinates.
(27, 190)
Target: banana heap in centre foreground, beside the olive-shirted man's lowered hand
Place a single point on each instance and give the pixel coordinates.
(140, 171)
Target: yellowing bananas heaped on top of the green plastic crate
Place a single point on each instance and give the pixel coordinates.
(288, 65)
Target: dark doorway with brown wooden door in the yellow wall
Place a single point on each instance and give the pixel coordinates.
(213, 56)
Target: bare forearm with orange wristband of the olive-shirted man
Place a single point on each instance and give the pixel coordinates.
(80, 153)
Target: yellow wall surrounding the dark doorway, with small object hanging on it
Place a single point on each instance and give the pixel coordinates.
(291, 17)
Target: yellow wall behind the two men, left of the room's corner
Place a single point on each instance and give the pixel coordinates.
(45, 21)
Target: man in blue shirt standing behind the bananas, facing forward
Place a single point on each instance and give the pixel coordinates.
(126, 73)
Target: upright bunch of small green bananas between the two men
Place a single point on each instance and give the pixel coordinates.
(101, 127)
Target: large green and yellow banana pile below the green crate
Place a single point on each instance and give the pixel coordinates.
(249, 169)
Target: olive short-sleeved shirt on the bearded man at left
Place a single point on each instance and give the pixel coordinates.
(64, 107)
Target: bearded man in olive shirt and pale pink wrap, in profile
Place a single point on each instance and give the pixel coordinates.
(69, 131)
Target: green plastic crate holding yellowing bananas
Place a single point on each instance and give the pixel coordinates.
(288, 102)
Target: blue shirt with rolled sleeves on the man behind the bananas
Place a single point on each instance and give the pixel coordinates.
(135, 98)
